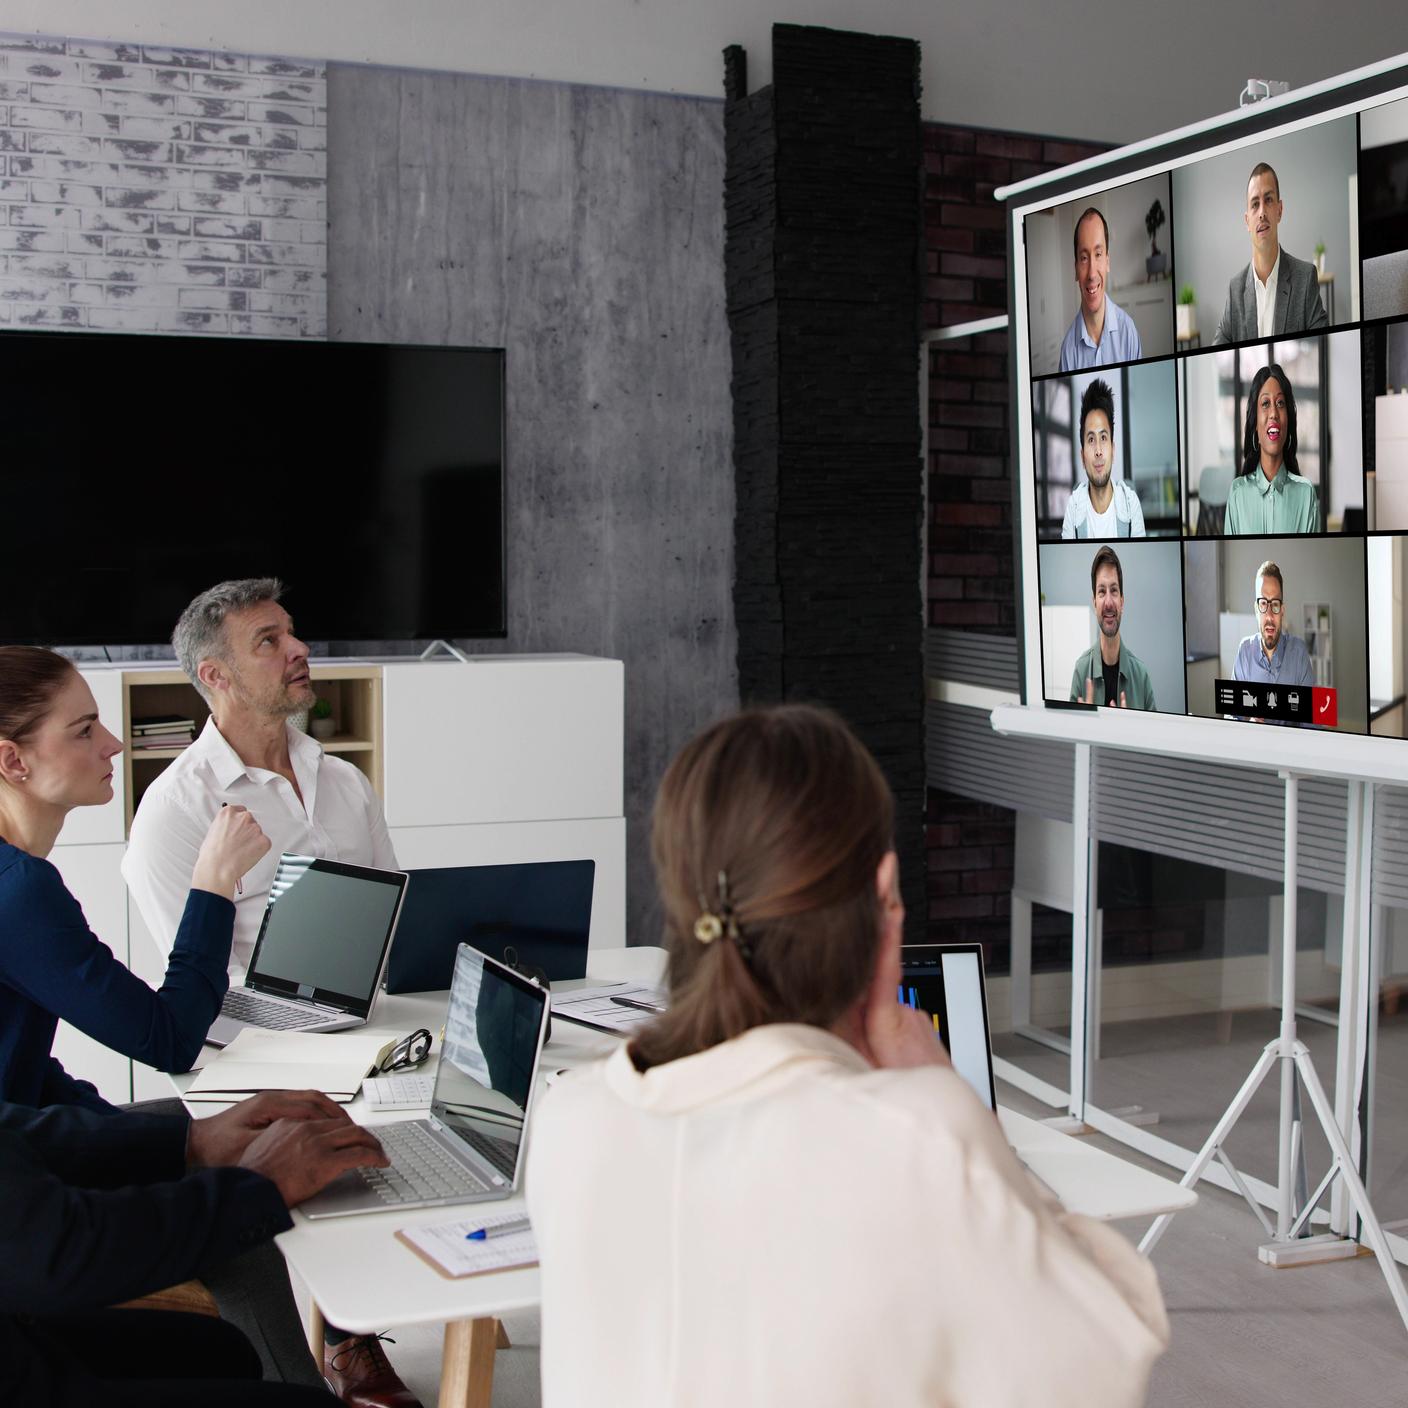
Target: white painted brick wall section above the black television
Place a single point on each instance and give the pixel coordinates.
(161, 191)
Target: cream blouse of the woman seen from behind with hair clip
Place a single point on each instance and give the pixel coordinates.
(775, 1223)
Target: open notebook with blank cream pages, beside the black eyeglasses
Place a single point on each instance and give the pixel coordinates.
(257, 1060)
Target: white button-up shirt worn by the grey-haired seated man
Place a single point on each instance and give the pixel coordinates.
(339, 819)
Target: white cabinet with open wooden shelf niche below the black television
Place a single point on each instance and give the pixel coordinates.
(509, 758)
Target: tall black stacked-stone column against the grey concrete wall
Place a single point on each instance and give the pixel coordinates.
(823, 260)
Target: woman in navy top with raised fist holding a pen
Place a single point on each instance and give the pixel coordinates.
(54, 757)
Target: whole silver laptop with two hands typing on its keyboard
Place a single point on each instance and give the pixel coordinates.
(471, 1150)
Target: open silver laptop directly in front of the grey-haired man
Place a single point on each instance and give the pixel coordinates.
(320, 953)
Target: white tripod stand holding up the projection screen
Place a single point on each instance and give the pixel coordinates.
(1295, 1058)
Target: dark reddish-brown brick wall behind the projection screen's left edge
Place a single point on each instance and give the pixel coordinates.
(972, 584)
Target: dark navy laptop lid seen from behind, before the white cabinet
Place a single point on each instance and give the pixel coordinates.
(536, 913)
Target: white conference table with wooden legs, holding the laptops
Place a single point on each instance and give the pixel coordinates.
(363, 1279)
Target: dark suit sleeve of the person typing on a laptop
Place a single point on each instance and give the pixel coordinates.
(67, 1250)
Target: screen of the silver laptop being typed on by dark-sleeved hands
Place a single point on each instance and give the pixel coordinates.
(489, 1057)
